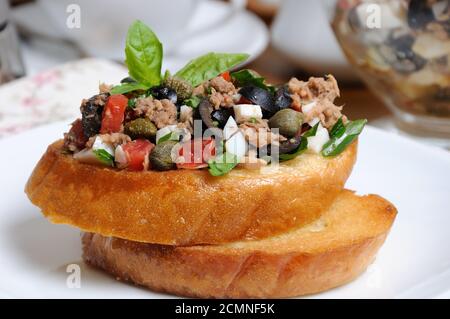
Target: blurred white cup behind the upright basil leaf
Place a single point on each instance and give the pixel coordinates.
(102, 28)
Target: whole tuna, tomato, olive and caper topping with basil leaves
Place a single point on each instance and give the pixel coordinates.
(205, 116)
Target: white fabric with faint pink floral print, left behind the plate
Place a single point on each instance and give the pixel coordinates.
(53, 95)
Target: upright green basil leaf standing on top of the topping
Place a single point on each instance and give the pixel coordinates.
(144, 54)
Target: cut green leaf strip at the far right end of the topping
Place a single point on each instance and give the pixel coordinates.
(337, 144)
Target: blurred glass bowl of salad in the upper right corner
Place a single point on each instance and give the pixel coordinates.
(401, 49)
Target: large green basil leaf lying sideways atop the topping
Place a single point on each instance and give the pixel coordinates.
(209, 66)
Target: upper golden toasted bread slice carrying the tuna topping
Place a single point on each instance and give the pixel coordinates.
(185, 207)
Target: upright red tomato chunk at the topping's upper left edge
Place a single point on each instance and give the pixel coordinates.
(113, 113)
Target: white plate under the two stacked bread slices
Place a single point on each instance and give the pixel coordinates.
(414, 262)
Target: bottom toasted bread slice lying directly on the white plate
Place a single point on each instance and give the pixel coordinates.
(329, 253)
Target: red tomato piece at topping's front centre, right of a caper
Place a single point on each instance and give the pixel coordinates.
(197, 153)
